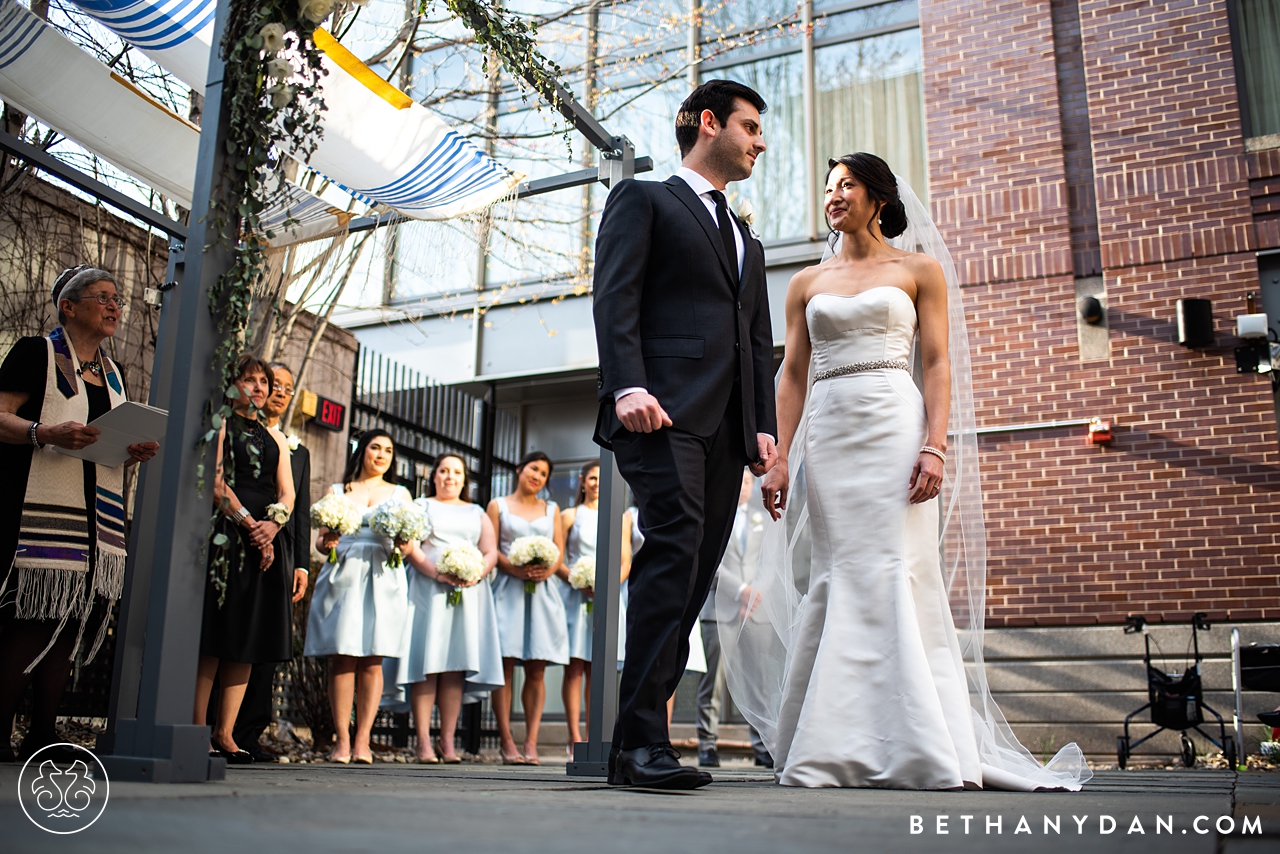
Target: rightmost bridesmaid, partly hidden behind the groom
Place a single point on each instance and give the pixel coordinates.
(580, 527)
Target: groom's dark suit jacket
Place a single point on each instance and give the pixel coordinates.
(671, 317)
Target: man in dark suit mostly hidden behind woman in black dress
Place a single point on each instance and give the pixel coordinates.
(255, 714)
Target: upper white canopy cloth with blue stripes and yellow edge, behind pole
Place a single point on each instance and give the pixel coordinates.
(405, 161)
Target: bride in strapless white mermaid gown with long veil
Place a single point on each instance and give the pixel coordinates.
(863, 665)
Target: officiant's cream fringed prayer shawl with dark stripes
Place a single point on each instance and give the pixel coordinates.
(53, 577)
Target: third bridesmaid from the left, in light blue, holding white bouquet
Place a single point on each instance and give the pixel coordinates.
(532, 625)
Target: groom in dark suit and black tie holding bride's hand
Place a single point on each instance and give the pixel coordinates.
(687, 398)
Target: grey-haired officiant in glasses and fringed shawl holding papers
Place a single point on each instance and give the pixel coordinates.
(62, 519)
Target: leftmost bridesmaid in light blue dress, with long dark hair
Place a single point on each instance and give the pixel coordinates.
(359, 606)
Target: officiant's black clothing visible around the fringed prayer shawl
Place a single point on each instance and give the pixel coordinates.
(26, 371)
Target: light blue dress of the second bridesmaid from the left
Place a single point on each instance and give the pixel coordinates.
(441, 638)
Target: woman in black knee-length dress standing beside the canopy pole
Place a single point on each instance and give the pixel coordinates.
(249, 588)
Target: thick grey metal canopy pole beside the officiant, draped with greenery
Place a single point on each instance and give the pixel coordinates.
(154, 738)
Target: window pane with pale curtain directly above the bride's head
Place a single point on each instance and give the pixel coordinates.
(871, 98)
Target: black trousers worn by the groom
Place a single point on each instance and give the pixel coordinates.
(687, 488)
